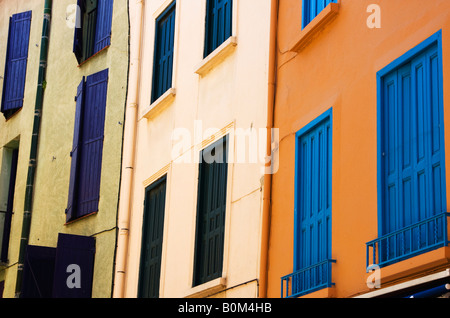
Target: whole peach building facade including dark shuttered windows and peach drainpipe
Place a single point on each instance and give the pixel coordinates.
(199, 86)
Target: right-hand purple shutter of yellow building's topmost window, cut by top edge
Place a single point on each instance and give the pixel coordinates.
(103, 29)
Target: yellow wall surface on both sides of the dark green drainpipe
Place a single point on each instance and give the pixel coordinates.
(56, 136)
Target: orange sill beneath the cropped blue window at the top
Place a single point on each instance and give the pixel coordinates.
(314, 27)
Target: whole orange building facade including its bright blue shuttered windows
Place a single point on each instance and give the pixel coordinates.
(359, 203)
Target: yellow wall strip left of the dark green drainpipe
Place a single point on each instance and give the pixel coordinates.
(17, 130)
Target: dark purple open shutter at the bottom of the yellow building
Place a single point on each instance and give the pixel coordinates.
(74, 266)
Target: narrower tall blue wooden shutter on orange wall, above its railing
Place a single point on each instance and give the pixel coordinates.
(314, 196)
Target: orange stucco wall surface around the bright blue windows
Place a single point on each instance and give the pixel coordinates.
(337, 69)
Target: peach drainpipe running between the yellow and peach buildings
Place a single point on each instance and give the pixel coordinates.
(128, 151)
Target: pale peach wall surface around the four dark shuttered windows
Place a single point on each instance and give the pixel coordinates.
(232, 95)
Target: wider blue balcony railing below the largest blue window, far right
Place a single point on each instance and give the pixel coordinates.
(410, 241)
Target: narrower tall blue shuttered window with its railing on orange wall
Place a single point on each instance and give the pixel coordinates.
(312, 227)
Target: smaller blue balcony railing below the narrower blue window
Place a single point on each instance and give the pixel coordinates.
(307, 280)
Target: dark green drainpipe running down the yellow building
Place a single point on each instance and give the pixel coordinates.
(34, 145)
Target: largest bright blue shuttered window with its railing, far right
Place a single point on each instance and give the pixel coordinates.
(412, 189)
